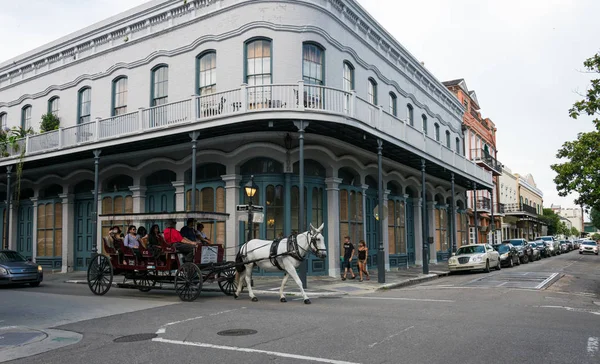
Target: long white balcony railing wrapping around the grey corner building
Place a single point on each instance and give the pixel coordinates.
(243, 101)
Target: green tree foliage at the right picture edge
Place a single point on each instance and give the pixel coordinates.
(580, 159)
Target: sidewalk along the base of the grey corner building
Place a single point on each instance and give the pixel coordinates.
(316, 285)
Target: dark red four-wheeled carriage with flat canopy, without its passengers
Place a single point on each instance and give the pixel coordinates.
(162, 266)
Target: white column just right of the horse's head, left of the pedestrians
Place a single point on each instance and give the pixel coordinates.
(333, 225)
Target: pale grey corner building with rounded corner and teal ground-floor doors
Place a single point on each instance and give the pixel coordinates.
(234, 85)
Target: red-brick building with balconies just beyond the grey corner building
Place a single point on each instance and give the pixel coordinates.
(484, 209)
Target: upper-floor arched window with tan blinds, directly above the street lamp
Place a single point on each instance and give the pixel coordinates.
(258, 62)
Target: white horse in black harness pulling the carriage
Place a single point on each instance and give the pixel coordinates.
(258, 252)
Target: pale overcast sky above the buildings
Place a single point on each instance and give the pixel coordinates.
(522, 57)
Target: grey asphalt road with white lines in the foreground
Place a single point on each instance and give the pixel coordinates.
(464, 318)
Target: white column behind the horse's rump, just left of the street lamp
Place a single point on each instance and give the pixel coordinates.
(232, 225)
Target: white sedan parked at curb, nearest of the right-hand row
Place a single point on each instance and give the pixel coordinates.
(474, 257)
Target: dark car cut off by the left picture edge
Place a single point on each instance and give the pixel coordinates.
(15, 269)
